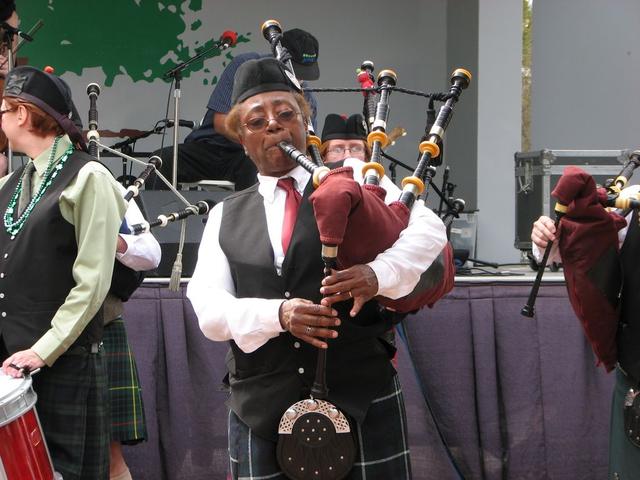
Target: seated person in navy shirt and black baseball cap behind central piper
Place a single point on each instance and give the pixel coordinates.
(211, 152)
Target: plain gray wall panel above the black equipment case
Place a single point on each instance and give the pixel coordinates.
(585, 73)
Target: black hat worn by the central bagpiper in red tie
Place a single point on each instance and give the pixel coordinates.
(259, 76)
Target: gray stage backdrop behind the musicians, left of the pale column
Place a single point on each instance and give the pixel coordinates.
(409, 37)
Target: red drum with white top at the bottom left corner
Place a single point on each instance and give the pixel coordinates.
(23, 450)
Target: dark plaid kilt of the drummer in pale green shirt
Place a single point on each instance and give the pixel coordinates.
(73, 410)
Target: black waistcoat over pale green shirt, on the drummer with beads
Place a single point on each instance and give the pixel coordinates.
(36, 264)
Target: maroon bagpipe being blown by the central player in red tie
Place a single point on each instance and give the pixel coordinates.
(345, 210)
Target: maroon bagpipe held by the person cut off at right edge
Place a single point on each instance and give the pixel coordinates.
(587, 238)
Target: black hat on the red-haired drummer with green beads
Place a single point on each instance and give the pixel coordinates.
(48, 92)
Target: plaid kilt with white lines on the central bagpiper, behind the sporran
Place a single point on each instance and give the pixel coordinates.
(381, 441)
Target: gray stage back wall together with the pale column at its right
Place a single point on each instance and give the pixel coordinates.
(423, 41)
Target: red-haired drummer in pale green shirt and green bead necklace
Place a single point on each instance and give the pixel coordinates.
(61, 217)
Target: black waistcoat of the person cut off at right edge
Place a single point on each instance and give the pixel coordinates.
(629, 328)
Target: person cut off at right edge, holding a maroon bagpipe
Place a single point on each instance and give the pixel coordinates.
(600, 251)
